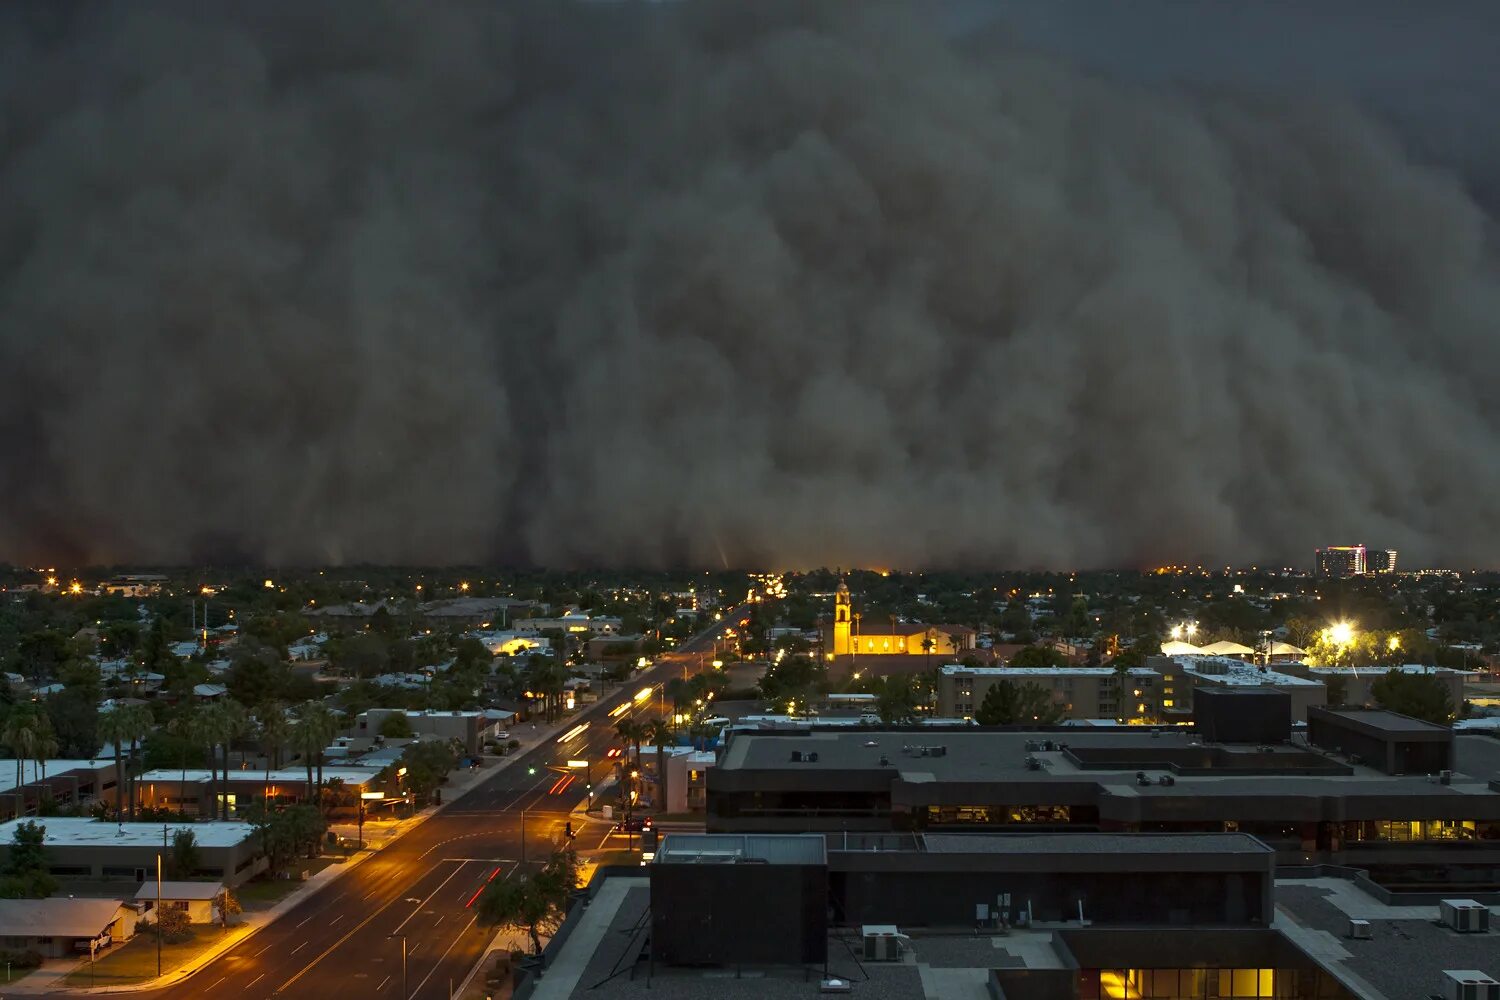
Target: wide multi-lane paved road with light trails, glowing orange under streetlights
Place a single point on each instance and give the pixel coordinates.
(344, 939)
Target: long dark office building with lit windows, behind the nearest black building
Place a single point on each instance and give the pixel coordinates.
(1310, 804)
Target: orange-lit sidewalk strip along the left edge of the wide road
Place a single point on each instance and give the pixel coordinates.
(377, 837)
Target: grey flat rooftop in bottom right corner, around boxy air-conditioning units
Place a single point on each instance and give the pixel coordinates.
(1408, 950)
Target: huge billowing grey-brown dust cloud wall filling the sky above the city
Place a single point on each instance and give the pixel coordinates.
(725, 284)
